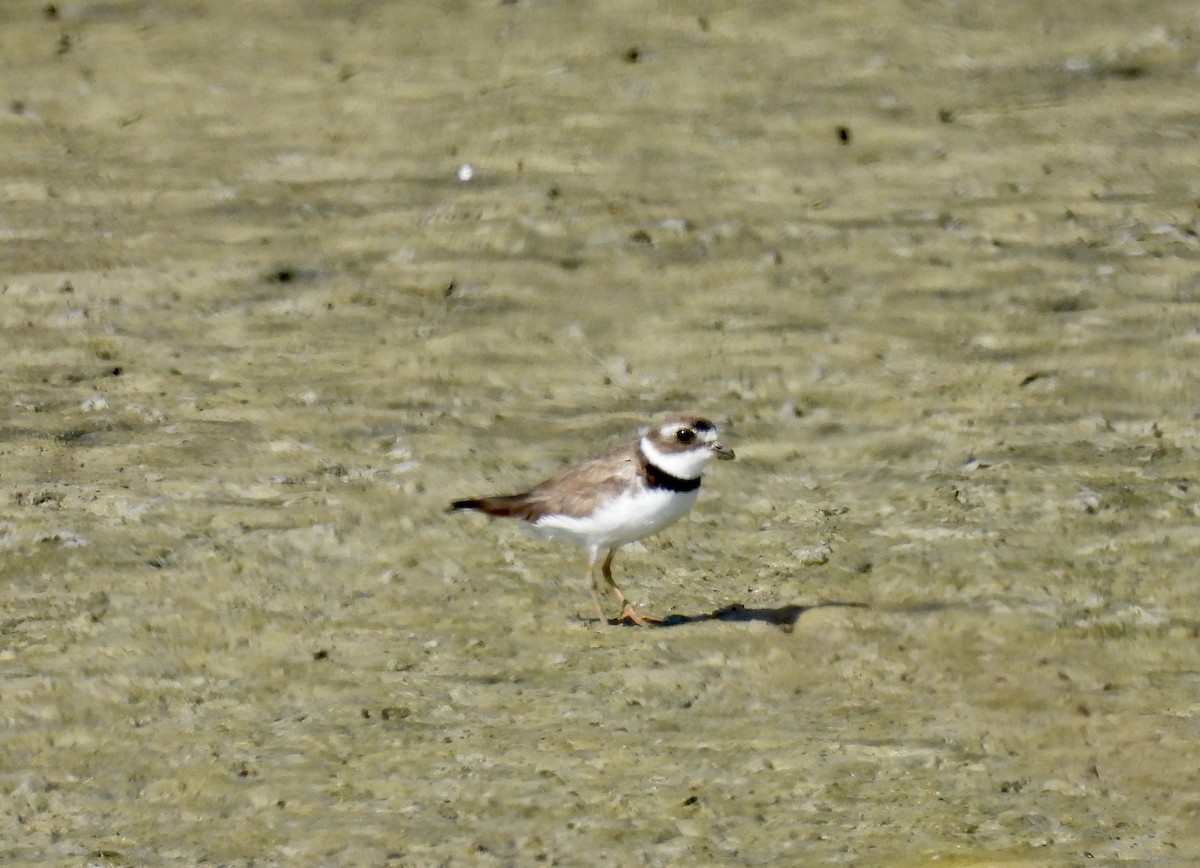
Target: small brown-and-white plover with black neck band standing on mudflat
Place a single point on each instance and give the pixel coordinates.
(615, 499)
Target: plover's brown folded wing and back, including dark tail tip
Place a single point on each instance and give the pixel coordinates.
(577, 492)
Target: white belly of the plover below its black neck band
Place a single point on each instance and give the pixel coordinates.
(622, 520)
